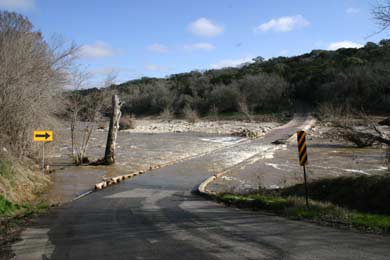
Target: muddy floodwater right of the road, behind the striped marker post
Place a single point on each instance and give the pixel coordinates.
(327, 158)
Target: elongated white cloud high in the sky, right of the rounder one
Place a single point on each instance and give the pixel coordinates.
(283, 24)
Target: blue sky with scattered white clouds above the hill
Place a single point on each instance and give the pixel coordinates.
(157, 38)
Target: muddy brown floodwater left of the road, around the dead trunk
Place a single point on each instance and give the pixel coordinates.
(135, 151)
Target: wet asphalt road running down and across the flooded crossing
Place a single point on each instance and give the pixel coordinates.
(156, 216)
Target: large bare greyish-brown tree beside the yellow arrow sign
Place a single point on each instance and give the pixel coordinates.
(33, 73)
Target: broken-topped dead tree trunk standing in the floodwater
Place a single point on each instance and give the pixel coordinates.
(109, 156)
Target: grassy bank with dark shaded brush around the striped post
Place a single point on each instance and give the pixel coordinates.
(290, 203)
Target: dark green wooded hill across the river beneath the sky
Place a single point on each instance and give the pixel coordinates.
(345, 79)
